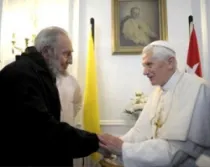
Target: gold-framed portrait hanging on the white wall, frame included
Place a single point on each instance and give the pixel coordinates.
(136, 23)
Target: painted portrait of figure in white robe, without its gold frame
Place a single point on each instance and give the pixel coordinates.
(139, 23)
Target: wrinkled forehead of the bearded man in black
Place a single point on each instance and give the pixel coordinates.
(64, 44)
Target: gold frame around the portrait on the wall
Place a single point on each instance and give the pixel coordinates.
(116, 48)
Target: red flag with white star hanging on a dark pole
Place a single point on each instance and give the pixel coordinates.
(193, 57)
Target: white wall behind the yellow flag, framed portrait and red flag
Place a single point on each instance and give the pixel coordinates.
(120, 76)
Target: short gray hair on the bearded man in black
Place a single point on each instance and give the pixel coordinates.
(48, 37)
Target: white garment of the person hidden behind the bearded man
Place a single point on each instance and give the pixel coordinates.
(70, 98)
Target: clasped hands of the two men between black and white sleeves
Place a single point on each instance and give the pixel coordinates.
(109, 145)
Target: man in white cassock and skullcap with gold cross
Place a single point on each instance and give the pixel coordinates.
(174, 127)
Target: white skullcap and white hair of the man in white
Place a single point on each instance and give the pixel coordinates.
(160, 50)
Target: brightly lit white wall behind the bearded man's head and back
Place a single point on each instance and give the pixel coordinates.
(24, 18)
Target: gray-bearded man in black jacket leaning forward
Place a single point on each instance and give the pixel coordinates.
(31, 131)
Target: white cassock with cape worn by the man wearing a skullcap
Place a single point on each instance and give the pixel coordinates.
(181, 108)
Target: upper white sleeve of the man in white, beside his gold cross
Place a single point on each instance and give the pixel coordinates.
(142, 129)
